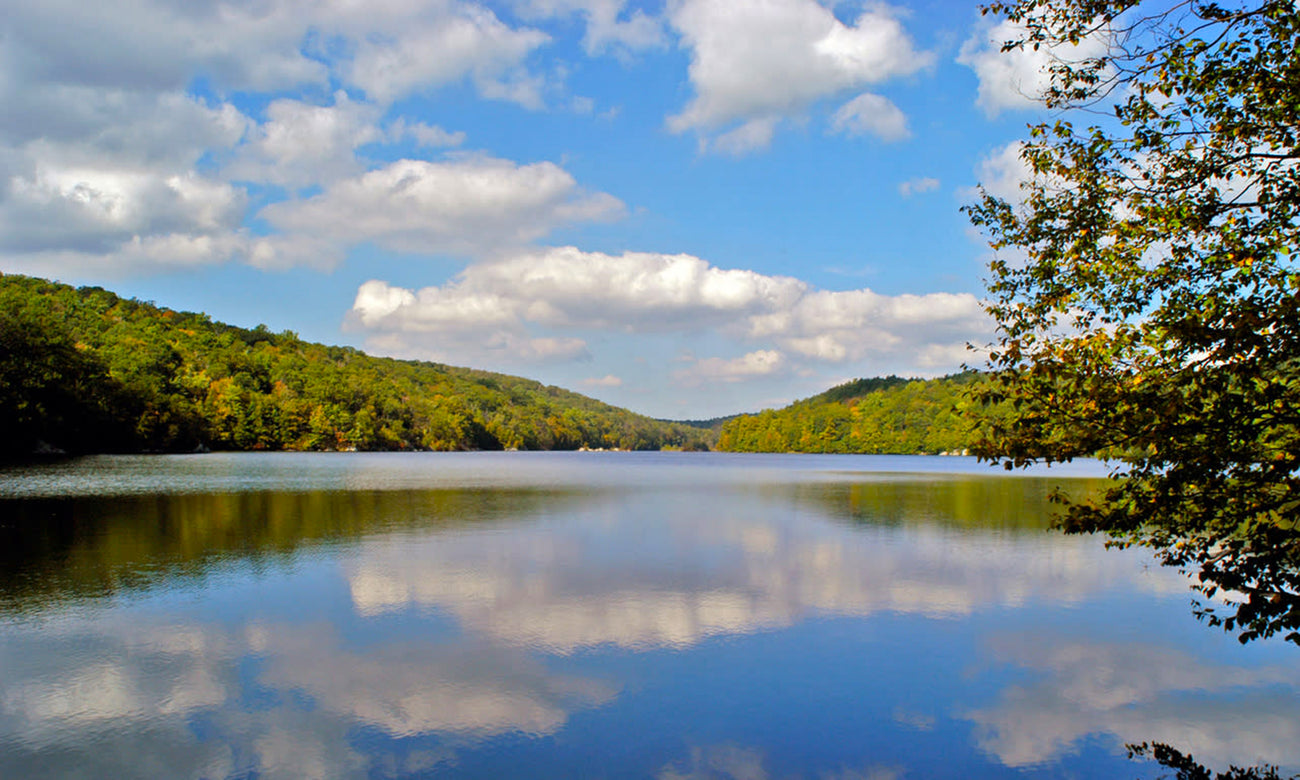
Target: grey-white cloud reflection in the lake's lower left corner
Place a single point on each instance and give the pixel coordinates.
(133, 710)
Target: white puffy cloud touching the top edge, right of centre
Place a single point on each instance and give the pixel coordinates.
(764, 60)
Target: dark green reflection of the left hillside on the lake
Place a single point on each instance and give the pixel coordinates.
(53, 551)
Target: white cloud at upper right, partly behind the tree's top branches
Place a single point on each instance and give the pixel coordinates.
(1019, 79)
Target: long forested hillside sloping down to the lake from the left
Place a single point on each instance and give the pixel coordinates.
(86, 371)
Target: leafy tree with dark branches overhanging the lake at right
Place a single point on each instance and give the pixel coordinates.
(1151, 306)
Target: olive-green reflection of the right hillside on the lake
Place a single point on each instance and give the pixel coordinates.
(956, 501)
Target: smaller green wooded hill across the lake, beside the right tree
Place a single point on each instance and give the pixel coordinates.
(887, 415)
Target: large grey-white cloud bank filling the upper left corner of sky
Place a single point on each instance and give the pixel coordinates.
(105, 158)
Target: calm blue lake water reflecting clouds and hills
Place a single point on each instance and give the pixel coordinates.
(597, 616)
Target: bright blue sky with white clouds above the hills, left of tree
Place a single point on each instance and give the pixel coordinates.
(690, 210)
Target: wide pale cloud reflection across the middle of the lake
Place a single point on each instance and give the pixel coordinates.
(687, 566)
